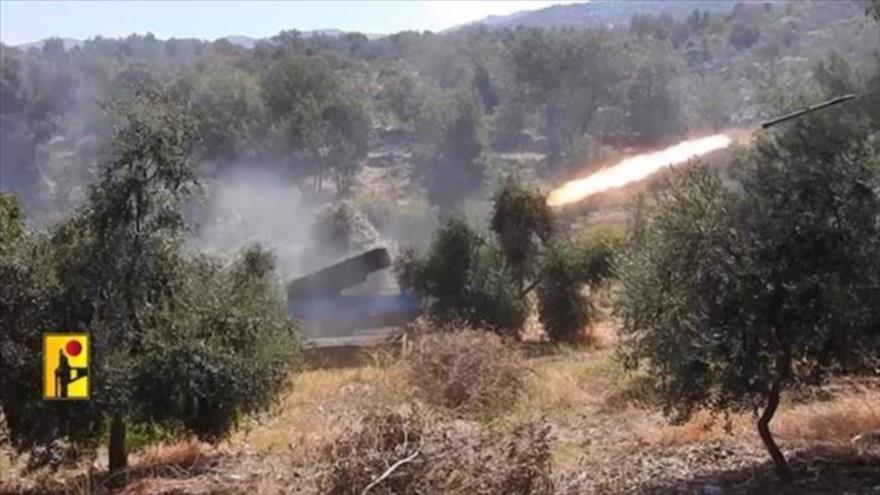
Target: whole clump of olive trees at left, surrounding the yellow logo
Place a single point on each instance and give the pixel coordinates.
(182, 341)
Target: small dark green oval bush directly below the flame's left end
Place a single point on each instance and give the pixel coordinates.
(563, 309)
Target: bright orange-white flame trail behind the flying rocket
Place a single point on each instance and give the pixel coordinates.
(635, 168)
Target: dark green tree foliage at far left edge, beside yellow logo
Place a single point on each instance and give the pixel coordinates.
(33, 301)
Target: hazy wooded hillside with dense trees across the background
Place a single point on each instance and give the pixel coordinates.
(317, 104)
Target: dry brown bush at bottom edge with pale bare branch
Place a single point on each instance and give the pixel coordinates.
(433, 457)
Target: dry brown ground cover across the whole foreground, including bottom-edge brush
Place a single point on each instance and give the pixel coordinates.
(578, 424)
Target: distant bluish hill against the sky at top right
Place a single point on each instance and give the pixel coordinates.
(599, 13)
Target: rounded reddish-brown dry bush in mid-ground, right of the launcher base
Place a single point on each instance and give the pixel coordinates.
(466, 370)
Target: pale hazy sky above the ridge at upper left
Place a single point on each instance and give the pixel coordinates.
(25, 21)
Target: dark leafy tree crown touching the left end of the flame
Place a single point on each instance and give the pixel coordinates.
(522, 223)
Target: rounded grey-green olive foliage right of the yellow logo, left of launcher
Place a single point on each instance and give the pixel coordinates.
(222, 349)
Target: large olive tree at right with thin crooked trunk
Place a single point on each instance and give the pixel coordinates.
(730, 297)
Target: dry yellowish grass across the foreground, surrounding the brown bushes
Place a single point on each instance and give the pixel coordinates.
(607, 435)
